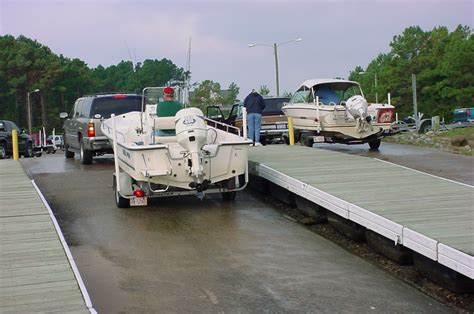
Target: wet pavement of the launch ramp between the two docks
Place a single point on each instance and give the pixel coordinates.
(184, 255)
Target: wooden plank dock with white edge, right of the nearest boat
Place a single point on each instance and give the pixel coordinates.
(427, 214)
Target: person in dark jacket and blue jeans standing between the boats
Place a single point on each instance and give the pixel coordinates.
(254, 104)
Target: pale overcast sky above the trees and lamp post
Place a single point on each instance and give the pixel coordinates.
(337, 35)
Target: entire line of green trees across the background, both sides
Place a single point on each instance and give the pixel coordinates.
(442, 61)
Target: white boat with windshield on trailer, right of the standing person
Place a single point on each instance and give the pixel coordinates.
(335, 111)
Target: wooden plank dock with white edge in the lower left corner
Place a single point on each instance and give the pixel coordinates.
(37, 271)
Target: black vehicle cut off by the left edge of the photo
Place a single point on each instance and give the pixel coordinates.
(25, 143)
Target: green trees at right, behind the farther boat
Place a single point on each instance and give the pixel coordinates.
(443, 63)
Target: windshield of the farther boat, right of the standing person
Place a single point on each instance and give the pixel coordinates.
(328, 93)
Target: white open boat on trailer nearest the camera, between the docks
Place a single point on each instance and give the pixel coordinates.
(197, 159)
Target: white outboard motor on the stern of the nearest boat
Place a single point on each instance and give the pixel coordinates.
(191, 133)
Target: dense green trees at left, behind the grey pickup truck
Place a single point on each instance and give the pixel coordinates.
(26, 65)
